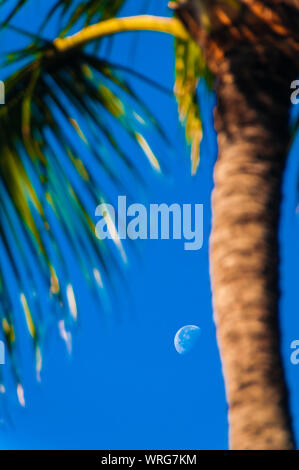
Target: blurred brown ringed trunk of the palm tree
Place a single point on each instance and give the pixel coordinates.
(253, 69)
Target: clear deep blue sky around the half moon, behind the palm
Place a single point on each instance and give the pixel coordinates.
(125, 387)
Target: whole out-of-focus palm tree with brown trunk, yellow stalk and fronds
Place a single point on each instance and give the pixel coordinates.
(250, 47)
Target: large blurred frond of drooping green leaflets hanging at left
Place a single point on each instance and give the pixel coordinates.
(60, 156)
